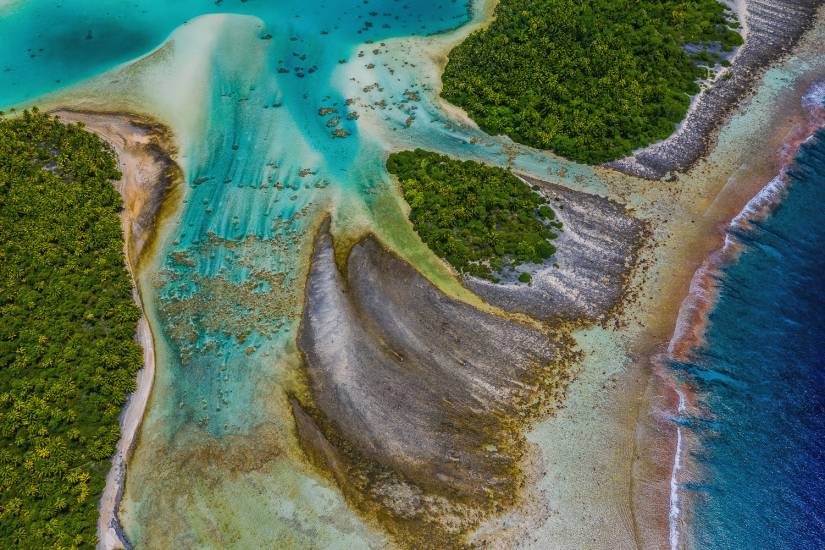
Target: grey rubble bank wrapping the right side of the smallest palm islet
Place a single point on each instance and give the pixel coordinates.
(587, 276)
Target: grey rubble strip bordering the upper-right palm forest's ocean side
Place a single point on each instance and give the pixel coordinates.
(773, 28)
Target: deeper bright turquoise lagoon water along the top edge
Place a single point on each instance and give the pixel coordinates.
(50, 43)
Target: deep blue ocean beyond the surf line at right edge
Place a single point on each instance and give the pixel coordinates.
(761, 381)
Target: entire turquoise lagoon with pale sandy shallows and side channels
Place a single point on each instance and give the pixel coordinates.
(253, 92)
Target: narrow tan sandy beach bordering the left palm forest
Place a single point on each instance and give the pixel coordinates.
(143, 150)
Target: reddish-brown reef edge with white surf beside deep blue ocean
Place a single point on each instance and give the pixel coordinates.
(749, 183)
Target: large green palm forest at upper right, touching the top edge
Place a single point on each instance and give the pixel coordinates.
(590, 80)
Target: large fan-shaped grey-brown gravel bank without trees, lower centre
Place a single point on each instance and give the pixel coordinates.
(420, 399)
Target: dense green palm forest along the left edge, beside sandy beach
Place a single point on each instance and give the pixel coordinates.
(67, 356)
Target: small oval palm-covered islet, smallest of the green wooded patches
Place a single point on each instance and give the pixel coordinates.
(479, 218)
